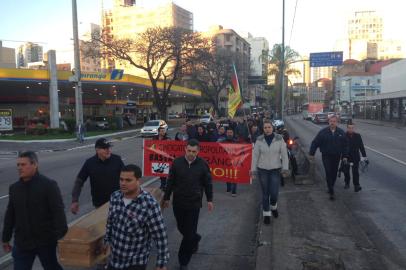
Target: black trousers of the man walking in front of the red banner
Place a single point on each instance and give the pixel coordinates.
(186, 220)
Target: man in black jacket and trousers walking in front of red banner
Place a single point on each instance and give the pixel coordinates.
(188, 177)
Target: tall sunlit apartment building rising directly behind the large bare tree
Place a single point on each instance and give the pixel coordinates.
(126, 20)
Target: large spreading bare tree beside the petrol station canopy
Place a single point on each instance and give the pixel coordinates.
(163, 53)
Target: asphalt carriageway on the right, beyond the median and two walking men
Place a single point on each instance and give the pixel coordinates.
(380, 208)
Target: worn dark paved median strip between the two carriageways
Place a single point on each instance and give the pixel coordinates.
(313, 233)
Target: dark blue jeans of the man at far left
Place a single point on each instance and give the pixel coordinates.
(24, 259)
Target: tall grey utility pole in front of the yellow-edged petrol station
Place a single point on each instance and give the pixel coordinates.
(77, 75)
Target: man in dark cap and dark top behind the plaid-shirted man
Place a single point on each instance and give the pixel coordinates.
(103, 169)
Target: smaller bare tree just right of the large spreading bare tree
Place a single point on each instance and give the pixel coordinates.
(213, 73)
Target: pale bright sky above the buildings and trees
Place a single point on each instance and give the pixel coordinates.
(317, 27)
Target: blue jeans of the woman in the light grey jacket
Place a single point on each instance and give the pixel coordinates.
(270, 181)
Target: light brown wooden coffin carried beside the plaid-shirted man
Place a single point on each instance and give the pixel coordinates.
(82, 244)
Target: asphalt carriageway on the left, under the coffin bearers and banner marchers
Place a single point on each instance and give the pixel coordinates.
(229, 233)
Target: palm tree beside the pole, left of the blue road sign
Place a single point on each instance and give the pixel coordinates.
(291, 56)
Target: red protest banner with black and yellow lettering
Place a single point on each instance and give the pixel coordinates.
(227, 162)
